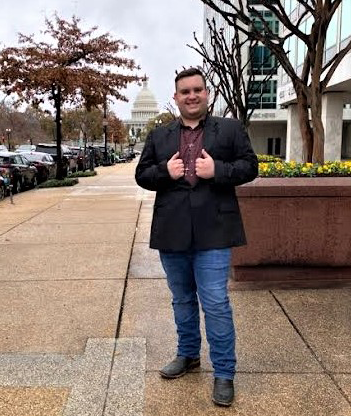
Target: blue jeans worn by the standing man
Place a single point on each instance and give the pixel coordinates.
(203, 275)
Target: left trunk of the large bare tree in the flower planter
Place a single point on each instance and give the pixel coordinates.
(305, 127)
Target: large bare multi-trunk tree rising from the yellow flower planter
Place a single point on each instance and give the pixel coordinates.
(312, 81)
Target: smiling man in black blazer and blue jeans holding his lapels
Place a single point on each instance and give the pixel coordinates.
(193, 164)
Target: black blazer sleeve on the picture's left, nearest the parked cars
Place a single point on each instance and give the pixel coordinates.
(149, 173)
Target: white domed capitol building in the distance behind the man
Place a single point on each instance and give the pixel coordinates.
(145, 107)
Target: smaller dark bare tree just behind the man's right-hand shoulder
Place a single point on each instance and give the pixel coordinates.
(228, 68)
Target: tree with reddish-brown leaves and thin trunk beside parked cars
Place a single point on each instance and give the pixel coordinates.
(75, 68)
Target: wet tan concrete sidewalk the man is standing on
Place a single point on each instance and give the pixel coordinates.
(86, 319)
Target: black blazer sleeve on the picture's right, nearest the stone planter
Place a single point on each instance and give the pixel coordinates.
(244, 167)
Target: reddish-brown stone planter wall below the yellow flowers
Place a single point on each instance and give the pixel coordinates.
(298, 232)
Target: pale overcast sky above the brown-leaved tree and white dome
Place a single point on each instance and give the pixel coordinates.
(160, 28)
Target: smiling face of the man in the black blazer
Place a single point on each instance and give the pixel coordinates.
(191, 97)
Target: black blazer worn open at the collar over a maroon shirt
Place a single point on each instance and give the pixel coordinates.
(207, 215)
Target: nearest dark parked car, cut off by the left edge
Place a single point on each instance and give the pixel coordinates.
(22, 173)
